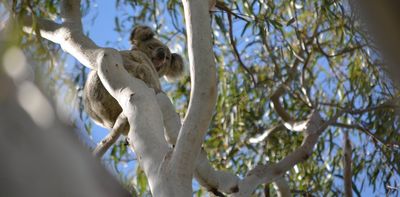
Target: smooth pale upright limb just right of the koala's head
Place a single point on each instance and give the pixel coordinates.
(203, 93)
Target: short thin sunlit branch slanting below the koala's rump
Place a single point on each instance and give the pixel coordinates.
(120, 125)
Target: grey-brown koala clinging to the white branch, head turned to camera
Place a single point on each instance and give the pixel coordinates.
(148, 60)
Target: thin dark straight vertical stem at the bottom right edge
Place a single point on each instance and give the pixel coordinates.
(347, 172)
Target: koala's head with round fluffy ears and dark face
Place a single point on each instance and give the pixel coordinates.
(166, 63)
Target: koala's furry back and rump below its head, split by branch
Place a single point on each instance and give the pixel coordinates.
(100, 105)
